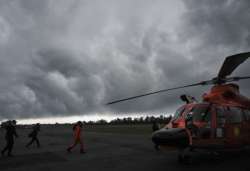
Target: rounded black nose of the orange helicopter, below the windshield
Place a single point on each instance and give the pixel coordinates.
(175, 137)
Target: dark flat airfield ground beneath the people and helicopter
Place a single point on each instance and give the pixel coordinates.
(108, 148)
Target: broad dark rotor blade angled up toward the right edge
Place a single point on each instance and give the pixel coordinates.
(231, 63)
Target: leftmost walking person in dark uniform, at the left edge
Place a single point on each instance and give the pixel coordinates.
(9, 136)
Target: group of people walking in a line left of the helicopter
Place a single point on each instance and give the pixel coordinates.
(11, 134)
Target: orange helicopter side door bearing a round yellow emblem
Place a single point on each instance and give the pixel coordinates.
(233, 126)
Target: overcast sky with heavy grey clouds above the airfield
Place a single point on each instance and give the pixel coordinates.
(62, 58)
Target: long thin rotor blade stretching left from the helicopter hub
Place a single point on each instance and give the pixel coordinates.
(160, 91)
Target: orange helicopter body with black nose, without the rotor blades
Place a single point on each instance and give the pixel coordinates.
(221, 122)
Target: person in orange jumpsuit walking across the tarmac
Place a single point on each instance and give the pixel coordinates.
(77, 128)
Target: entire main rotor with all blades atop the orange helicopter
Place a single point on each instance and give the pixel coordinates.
(228, 66)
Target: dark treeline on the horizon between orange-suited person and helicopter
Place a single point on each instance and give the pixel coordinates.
(129, 120)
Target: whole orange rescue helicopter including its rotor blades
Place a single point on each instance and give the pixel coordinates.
(221, 122)
